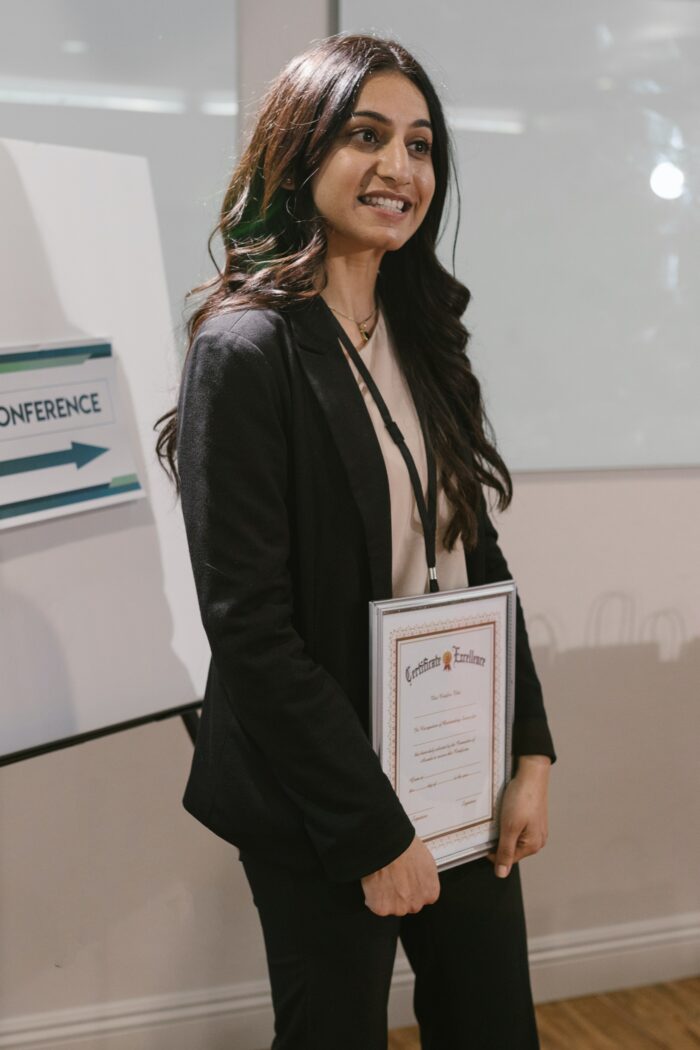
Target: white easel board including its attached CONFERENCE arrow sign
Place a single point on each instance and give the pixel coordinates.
(99, 612)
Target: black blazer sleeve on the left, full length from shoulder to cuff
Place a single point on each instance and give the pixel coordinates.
(232, 454)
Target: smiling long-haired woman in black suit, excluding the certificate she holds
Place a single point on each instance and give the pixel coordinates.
(299, 513)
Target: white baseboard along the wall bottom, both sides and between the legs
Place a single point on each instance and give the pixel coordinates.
(563, 965)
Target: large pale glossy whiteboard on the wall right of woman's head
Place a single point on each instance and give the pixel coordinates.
(577, 136)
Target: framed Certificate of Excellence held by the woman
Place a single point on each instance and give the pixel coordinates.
(442, 681)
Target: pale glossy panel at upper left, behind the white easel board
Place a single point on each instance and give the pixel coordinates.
(155, 79)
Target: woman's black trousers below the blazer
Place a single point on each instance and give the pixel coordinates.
(331, 961)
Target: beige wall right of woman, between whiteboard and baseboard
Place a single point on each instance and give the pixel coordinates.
(609, 570)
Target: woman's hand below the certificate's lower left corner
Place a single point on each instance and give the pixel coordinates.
(405, 886)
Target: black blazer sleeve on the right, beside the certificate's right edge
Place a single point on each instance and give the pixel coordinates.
(532, 736)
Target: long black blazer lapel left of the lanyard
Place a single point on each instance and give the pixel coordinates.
(316, 337)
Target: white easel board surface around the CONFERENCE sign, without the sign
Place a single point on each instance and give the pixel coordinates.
(99, 612)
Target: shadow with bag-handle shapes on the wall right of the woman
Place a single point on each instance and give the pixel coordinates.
(625, 718)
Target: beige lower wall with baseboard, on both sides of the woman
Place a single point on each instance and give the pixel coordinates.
(116, 902)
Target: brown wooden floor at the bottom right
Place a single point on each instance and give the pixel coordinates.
(665, 1017)
